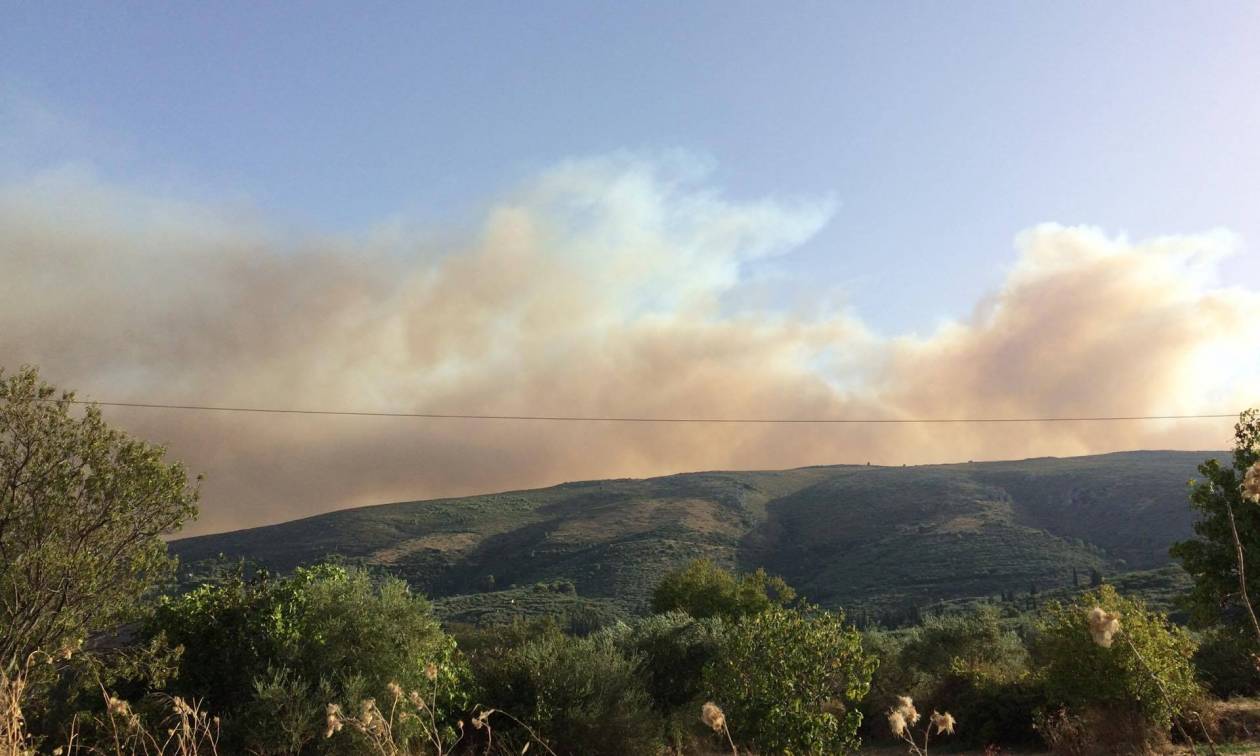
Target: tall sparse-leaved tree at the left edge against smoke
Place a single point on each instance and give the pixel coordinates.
(83, 512)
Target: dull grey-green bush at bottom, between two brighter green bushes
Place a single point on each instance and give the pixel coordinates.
(580, 695)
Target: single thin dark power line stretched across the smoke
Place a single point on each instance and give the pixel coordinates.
(646, 420)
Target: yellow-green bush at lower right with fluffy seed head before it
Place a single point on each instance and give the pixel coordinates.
(1147, 655)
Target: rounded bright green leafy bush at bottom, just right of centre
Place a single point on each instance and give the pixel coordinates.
(791, 682)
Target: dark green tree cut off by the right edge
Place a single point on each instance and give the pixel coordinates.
(1225, 558)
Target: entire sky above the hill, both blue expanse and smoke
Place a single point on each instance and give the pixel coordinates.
(728, 210)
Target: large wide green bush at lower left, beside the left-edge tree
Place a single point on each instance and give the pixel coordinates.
(270, 655)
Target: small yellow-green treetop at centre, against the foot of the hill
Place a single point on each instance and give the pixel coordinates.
(705, 590)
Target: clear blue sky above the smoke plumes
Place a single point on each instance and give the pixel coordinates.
(939, 129)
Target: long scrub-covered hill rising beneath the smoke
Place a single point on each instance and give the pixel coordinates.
(881, 542)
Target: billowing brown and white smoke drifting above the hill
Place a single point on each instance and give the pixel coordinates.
(604, 288)
